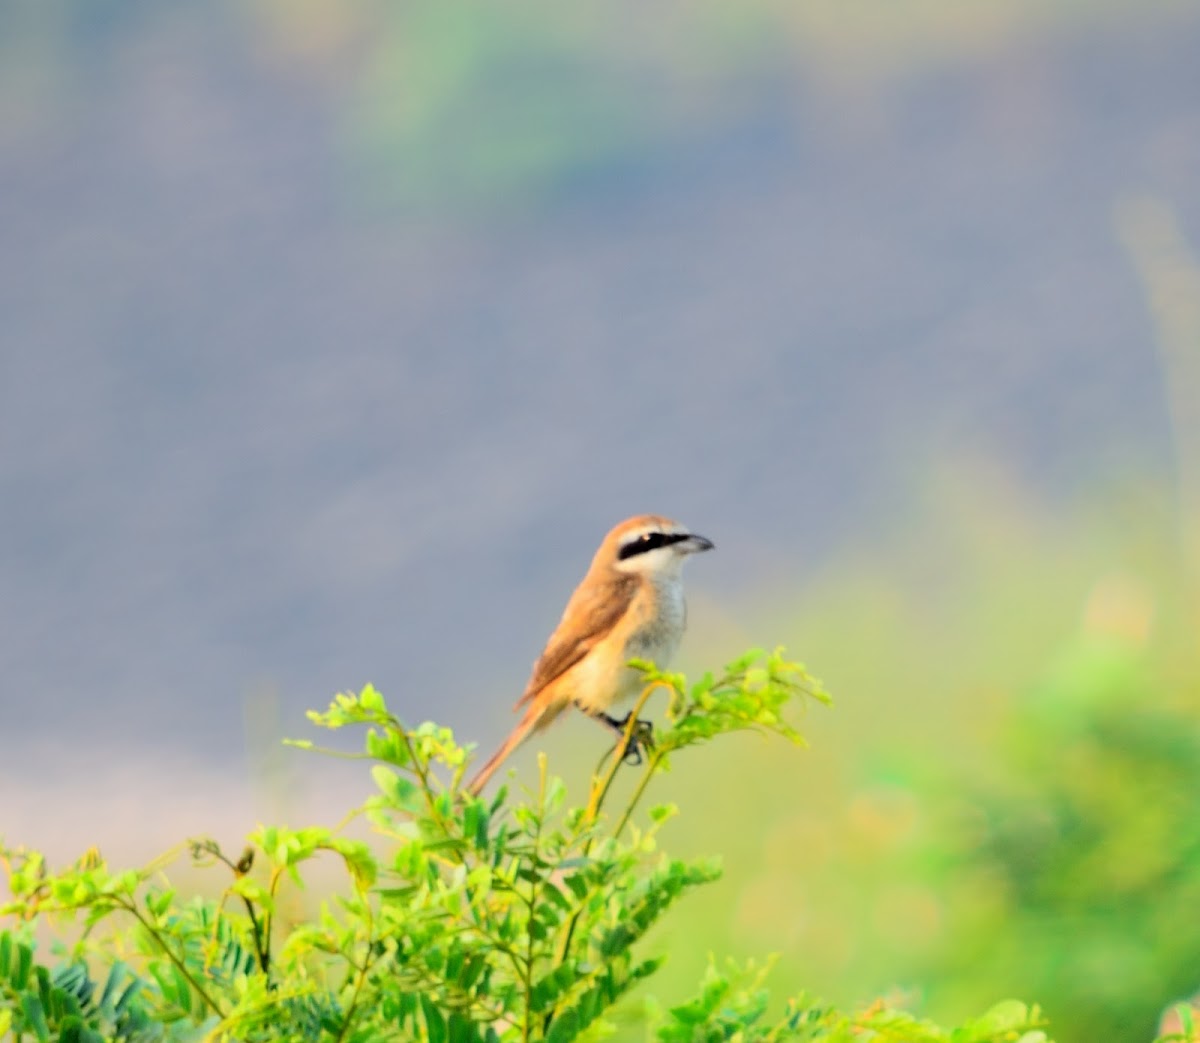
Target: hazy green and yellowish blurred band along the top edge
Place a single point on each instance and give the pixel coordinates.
(476, 106)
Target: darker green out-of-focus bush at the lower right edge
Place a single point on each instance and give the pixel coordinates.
(1066, 856)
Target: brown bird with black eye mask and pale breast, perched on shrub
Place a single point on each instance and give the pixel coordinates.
(629, 606)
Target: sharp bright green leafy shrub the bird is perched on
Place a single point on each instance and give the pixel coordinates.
(465, 920)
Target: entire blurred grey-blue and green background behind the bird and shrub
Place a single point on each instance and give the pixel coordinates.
(333, 338)
